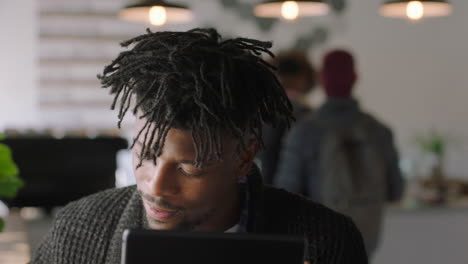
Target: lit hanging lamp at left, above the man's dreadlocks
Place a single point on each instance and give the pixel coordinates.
(156, 12)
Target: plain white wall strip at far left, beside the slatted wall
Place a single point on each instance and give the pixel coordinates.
(18, 95)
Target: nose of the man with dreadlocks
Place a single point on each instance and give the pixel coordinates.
(163, 180)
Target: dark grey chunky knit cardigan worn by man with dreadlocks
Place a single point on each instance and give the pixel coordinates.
(90, 230)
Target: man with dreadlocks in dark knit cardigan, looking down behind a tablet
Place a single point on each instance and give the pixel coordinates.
(200, 105)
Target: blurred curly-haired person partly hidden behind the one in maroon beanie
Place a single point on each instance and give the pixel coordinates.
(297, 76)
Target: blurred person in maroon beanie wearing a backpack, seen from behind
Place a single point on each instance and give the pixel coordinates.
(342, 156)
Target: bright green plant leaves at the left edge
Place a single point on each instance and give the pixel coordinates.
(10, 183)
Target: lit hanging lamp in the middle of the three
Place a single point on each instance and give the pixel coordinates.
(291, 10)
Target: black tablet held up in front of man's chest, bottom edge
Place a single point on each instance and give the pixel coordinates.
(168, 247)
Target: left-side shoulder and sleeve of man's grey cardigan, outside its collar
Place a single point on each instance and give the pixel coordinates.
(86, 225)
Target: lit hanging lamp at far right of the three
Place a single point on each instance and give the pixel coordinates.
(416, 10)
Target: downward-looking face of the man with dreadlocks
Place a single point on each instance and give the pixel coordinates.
(179, 196)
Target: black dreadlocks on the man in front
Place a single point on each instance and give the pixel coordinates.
(195, 81)
